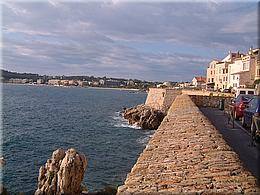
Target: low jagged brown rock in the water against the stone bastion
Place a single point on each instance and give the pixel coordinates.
(144, 116)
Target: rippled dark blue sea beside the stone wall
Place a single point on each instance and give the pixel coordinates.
(39, 119)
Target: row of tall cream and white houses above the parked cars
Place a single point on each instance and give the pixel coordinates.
(235, 70)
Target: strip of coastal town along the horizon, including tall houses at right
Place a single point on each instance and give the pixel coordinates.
(236, 70)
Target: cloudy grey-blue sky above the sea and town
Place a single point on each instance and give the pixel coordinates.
(154, 41)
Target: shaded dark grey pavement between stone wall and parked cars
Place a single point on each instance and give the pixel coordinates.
(238, 138)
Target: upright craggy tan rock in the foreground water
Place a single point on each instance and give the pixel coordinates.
(62, 174)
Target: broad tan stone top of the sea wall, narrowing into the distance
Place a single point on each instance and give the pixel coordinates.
(188, 155)
